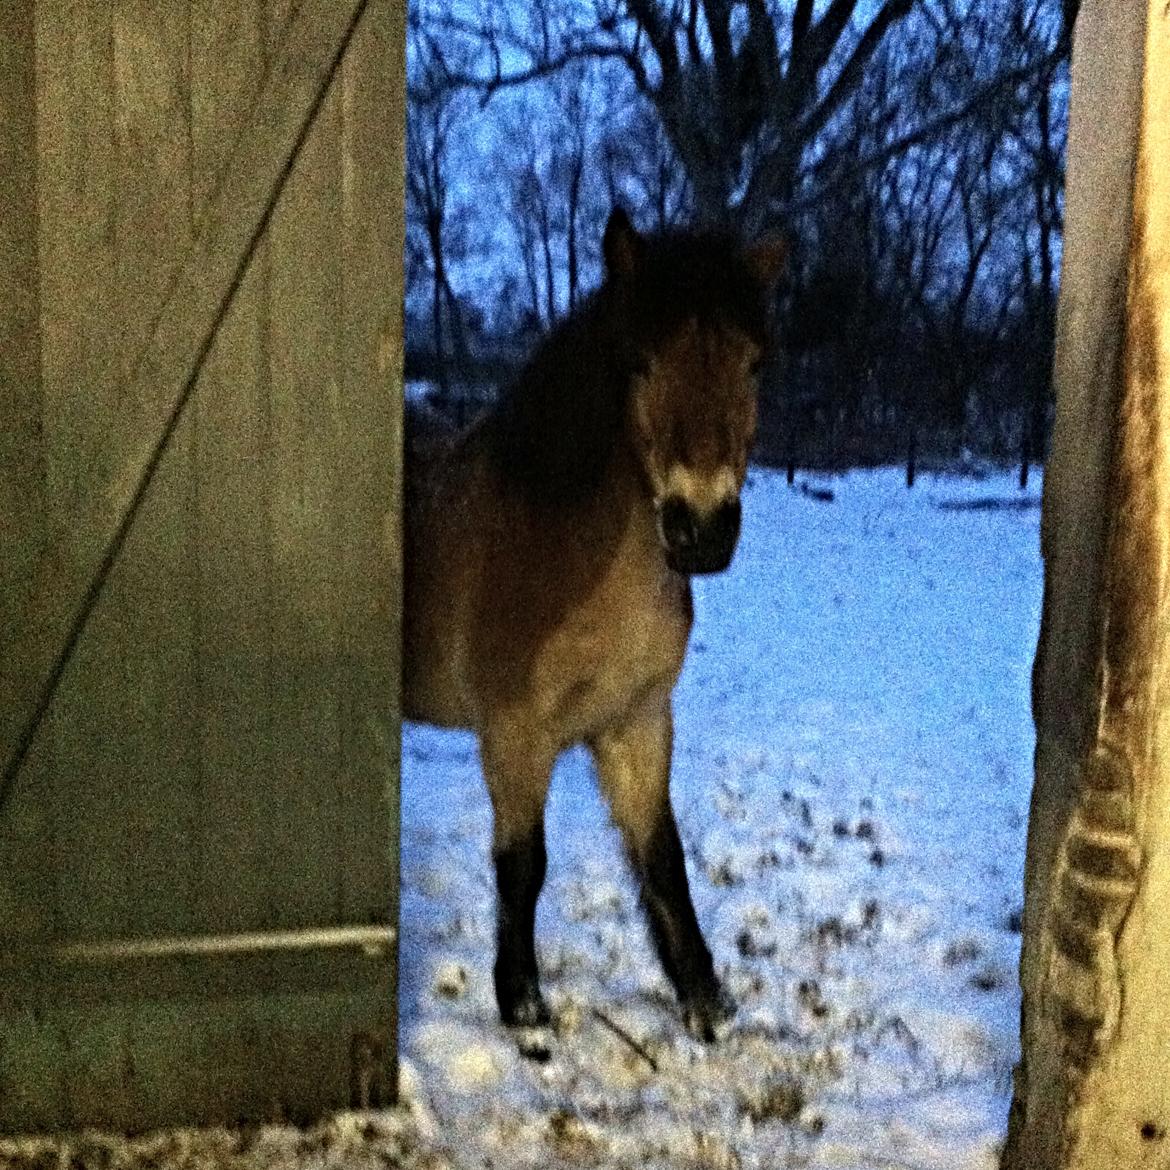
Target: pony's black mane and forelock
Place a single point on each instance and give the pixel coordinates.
(558, 425)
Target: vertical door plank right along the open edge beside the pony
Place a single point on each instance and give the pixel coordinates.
(369, 508)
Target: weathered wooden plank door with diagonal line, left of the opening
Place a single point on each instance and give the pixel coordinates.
(199, 822)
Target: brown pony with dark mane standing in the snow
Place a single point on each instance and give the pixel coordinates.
(548, 556)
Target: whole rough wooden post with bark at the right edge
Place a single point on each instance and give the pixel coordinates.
(1093, 1088)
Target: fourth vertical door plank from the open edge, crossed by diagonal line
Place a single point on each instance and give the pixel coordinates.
(147, 621)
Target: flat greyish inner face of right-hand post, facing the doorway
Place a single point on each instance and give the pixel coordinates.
(1107, 84)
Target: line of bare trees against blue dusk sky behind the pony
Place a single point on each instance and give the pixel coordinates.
(913, 153)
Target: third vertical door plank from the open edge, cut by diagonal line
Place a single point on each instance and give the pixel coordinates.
(233, 471)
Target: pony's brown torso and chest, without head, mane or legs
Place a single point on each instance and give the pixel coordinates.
(526, 631)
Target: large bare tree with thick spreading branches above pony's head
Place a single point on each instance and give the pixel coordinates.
(742, 88)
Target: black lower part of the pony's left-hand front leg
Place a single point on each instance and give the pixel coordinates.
(520, 876)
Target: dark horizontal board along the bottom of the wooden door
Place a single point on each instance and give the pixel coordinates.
(283, 1055)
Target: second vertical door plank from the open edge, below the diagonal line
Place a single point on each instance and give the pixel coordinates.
(305, 369)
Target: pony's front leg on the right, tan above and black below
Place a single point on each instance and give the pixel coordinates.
(634, 763)
